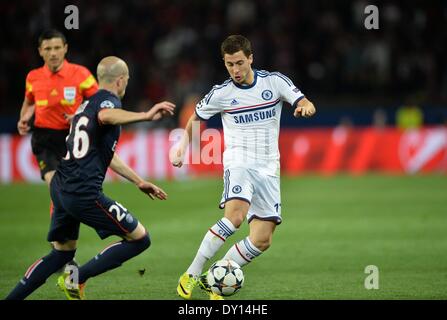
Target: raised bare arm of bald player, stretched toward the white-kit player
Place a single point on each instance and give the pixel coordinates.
(120, 116)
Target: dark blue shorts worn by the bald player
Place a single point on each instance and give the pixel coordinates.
(103, 214)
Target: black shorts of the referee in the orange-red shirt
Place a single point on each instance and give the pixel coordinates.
(49, 147)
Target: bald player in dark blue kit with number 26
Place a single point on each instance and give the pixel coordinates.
(76, 189)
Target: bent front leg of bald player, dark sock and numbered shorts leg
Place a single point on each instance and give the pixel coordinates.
(108, 217)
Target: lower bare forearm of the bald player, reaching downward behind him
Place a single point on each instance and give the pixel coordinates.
(118, 166)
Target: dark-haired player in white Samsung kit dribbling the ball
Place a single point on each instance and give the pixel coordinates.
(250, 105)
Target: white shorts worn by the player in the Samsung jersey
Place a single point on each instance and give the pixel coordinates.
(261, 191)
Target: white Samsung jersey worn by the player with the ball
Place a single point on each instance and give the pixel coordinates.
(251, 116)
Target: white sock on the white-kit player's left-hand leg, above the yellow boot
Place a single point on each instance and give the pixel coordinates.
(211, 243)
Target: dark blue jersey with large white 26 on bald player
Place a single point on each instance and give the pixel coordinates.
(90, 147)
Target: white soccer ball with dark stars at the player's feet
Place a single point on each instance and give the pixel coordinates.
(225, 277)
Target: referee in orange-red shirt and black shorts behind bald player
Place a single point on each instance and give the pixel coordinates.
(53, 93)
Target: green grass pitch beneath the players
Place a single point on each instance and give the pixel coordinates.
(332, 229)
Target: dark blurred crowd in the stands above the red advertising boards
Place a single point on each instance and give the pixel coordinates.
(173, 47)
